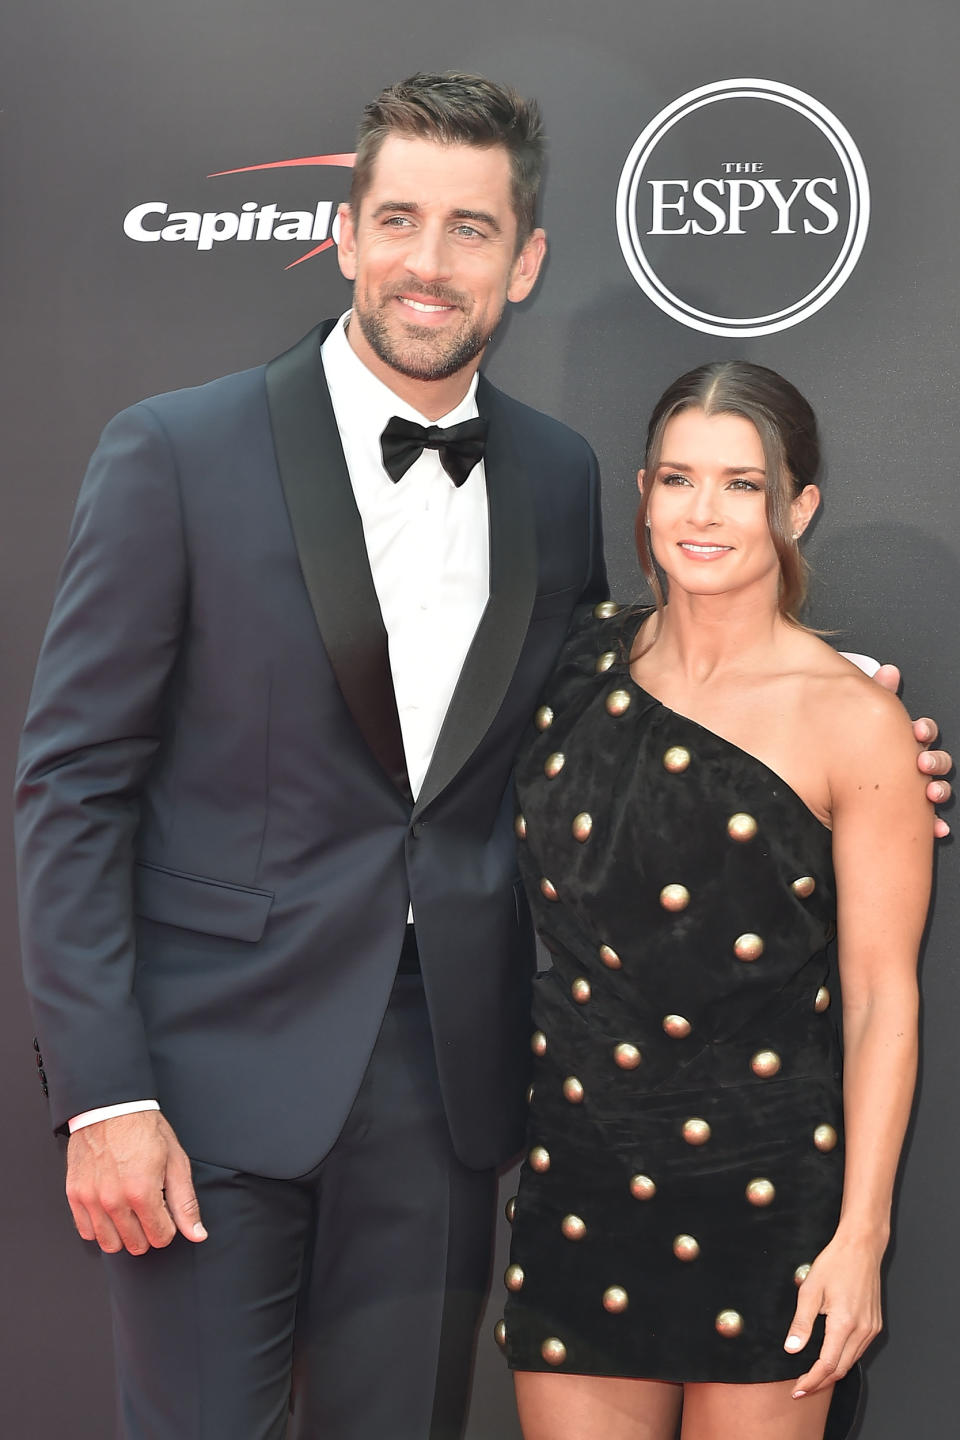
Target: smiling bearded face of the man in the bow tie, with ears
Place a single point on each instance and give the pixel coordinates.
(434, 258)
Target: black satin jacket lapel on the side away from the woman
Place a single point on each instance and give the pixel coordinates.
(332, 549)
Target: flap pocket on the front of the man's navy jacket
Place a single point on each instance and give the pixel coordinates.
(196, 904)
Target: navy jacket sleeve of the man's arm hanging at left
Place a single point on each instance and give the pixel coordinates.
(91, 732)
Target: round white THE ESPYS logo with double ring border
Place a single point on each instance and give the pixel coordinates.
(743, 208)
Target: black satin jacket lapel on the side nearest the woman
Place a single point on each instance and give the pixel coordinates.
(513, 585)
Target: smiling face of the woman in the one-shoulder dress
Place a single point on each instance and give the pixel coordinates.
(707, 508)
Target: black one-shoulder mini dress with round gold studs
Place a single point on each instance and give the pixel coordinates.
(686, 1156)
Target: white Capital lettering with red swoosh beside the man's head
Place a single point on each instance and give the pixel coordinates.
(155, 220)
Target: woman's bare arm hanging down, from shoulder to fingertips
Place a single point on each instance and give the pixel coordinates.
(883, 858)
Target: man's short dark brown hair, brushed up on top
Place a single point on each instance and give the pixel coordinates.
(458, 110)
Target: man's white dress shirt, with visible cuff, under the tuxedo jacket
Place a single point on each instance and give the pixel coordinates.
(428, 544)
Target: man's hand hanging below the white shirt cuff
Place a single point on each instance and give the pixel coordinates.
(129, 1184)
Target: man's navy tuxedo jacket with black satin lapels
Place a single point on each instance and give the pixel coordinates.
(217, 836)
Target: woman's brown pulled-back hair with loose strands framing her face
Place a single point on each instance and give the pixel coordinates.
(788, 433)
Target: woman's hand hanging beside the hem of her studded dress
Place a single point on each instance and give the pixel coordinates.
(844, 1285)
